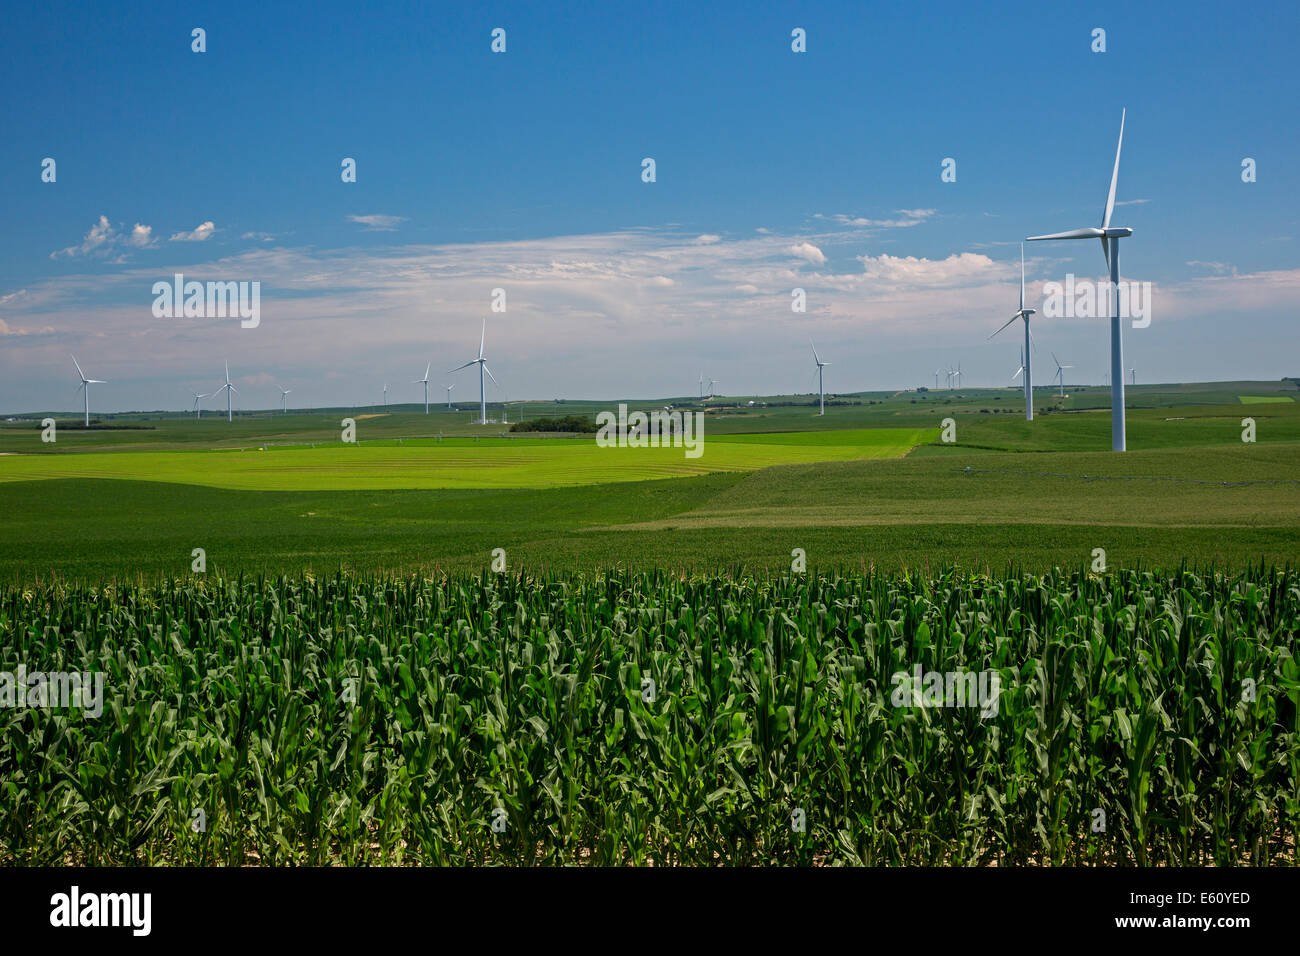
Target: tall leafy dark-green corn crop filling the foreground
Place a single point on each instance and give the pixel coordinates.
(656, 720)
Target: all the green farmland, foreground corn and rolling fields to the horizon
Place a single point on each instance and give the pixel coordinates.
(346, 678)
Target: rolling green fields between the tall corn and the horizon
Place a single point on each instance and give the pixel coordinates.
(868, 486)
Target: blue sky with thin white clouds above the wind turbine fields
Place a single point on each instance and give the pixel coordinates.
(523, 171)
